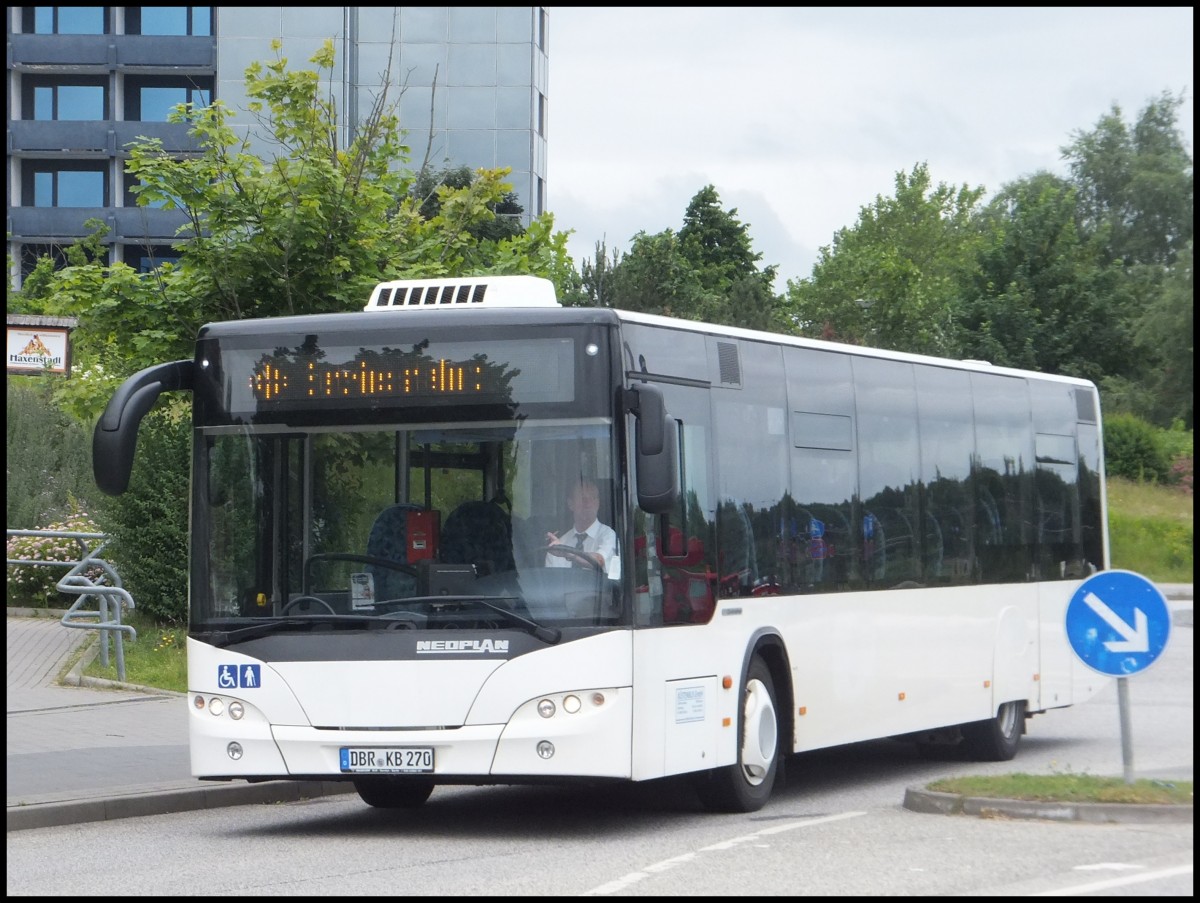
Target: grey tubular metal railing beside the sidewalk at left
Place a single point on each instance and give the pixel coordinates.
(110, 596)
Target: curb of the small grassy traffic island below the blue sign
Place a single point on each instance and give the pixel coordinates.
(1097, 814)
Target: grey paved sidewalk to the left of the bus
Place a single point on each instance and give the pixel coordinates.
(91, 751)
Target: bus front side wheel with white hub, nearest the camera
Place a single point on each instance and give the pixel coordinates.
(747, 786)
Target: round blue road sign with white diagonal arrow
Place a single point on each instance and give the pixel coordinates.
(1118, 623)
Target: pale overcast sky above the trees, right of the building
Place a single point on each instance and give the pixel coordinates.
(801, 117)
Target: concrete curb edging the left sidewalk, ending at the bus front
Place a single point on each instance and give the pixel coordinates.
(163, 803)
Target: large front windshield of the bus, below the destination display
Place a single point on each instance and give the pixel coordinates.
(309, 524)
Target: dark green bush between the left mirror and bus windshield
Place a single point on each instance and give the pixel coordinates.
(149, 521)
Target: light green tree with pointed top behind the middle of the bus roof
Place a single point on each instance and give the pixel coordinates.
(893, 280)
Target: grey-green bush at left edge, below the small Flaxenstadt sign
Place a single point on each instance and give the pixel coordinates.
(49, 457)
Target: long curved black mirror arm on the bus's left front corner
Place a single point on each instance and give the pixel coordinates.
(116, 436)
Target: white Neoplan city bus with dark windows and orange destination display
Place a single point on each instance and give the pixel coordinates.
(818, 545)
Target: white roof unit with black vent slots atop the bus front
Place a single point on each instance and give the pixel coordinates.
(471, 292)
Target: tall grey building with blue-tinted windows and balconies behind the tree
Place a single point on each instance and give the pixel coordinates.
(87, 81)
